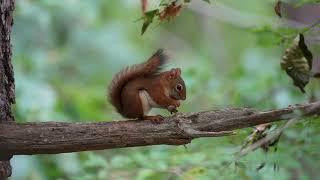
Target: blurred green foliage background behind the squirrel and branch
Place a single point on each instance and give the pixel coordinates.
(65, 53)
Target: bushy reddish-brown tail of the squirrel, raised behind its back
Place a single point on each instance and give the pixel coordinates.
(152, 66)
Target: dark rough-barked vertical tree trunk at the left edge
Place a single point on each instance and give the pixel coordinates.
(6, 77)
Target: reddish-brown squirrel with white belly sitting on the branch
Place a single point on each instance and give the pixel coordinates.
(136, 89)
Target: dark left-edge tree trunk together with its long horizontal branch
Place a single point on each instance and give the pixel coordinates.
(54, 137)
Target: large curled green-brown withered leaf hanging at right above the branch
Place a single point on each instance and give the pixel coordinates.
(297, 62)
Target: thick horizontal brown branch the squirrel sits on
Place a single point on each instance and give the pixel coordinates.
(59, 137)
